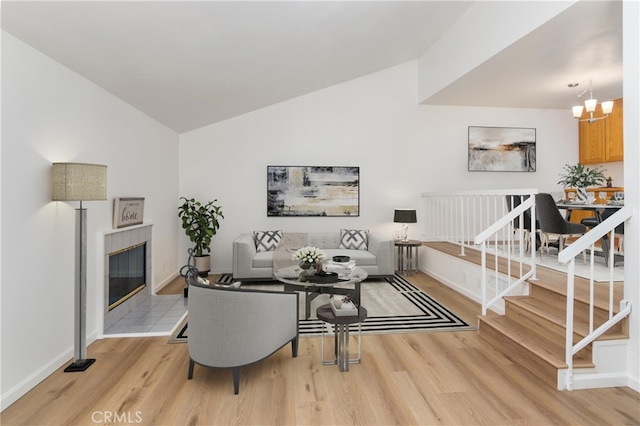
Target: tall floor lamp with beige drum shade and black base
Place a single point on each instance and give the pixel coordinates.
(80, 182)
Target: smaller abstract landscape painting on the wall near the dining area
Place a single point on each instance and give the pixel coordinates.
(502, 149)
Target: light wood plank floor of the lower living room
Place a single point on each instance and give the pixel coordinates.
(451, 378)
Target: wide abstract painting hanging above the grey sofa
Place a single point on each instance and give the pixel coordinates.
(313, 191)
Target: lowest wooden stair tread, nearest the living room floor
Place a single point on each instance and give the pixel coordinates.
(550, 352)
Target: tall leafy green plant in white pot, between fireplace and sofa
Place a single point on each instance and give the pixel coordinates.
(200, 222)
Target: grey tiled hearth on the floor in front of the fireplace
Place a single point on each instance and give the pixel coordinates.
(157, 314)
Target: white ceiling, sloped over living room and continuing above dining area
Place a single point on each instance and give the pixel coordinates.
(189, 64)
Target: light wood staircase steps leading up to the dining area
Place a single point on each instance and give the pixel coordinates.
(532, 333)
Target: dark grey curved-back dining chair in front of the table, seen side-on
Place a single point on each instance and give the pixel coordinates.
(552, 223)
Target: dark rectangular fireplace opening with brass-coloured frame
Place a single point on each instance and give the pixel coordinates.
(127, 273)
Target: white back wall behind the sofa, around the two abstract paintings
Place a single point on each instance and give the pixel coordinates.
(374, 122)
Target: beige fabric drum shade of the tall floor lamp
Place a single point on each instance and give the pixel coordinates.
(79, 182)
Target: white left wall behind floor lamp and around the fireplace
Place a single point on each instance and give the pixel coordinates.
(50, 114)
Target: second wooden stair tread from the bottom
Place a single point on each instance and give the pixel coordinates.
(556, 313)
